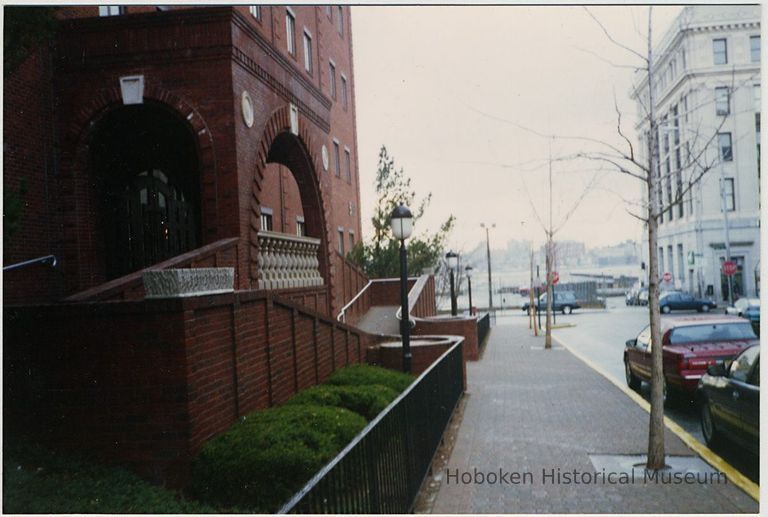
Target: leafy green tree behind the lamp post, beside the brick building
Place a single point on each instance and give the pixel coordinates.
(379, 257)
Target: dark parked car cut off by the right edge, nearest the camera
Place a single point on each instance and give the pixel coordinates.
(730, 401)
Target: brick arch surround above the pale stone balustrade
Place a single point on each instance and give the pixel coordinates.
(278, 124)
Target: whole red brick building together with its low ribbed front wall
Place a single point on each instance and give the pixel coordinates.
(178, 137)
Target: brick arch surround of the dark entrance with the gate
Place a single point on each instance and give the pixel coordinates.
(77, 204)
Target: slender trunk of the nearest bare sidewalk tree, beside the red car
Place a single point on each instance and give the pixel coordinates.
(656, 451)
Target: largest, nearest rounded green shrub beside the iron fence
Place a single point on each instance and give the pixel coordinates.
(267, 456)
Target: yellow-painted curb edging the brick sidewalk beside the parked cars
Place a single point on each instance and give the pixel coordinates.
(733, 475)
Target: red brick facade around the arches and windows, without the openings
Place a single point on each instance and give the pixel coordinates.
(186, 56)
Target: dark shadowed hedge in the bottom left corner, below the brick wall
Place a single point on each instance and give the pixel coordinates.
(38, 480)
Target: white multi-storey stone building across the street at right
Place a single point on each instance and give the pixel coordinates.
(707, 91)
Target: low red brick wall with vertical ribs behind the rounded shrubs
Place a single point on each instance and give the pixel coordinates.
(147, 383)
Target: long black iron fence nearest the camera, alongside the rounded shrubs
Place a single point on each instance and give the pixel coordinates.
(382, 469)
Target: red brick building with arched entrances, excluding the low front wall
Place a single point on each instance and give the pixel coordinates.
(146, 134)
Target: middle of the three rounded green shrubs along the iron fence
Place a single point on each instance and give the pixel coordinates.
(367, 401)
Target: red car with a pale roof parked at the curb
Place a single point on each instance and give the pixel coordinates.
(691, 345)
